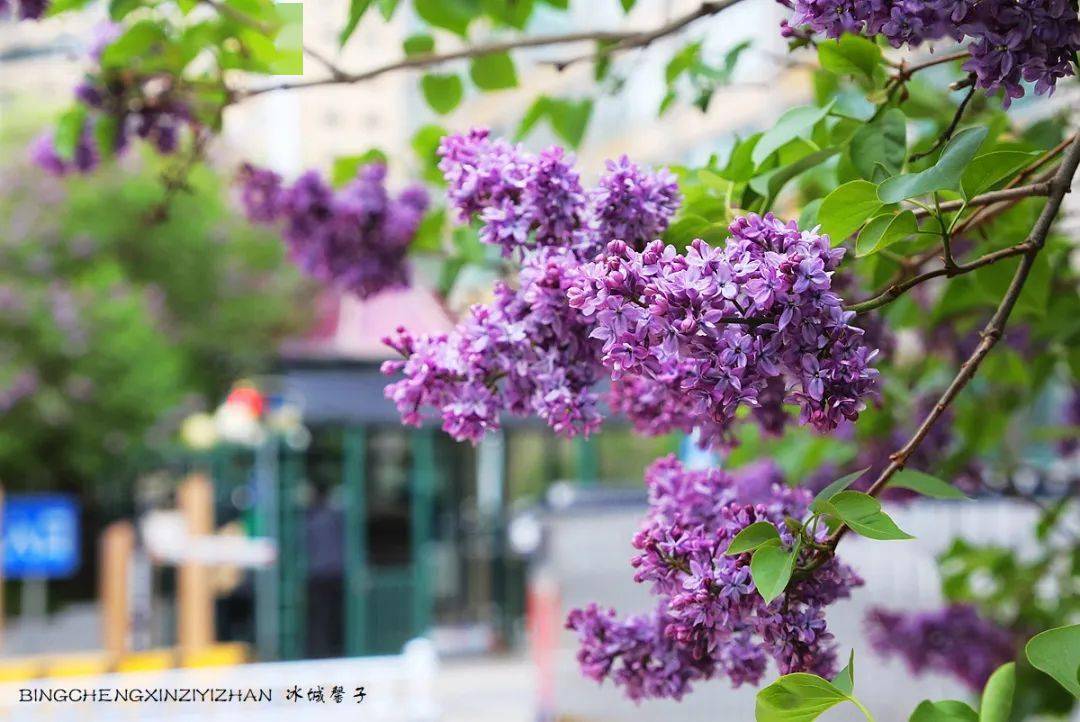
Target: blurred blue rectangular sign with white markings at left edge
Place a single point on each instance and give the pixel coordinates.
(40, 537)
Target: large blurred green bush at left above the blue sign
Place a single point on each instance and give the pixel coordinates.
(113, 324)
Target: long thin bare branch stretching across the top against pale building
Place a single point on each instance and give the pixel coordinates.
(617, 40)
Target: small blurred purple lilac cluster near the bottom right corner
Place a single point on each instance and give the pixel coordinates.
(954, 641)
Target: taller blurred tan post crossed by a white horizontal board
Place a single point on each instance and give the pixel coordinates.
(196, 601)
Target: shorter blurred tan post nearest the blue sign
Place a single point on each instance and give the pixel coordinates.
(117, 551)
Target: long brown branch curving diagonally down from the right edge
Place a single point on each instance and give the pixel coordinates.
(994, 330)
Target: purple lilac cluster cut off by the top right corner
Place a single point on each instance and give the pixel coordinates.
(1012, 42)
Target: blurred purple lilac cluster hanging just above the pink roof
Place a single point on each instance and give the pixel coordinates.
(356, 238)
